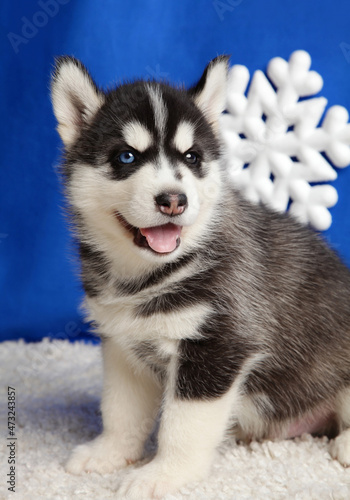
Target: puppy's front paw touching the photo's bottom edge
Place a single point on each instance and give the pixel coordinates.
(154, 481)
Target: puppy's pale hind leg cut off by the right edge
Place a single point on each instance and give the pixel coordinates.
(340, 447)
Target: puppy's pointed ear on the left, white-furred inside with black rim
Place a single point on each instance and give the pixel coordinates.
(75, 97)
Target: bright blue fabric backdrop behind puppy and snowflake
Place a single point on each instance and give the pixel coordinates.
(117, 39)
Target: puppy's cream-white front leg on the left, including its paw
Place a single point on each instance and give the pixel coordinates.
(129, 407)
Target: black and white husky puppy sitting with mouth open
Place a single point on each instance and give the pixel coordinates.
(214, 313)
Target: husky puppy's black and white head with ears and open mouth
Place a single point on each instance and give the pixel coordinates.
(142, 160)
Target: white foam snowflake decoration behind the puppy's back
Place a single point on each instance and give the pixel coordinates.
(277, 147)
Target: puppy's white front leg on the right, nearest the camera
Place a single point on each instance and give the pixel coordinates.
(191, 428)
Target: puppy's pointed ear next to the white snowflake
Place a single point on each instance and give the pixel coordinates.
(210, 92)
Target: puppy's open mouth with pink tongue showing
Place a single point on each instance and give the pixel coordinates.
(162, 239)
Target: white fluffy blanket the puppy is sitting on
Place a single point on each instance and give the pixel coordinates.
(58, 387)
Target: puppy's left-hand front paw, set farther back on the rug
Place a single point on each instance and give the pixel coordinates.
(100, 455)
